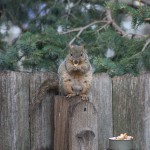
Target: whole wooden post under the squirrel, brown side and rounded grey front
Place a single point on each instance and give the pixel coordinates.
(75, 124)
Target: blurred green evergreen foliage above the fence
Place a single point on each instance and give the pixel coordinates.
(43, 47)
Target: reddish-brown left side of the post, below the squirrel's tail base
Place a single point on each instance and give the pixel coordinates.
(60, 123)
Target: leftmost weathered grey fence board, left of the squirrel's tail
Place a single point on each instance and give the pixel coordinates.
(14, 105)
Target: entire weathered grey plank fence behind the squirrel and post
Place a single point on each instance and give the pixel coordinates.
(122, 103)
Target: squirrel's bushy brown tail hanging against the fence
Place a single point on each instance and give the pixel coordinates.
(52, 83)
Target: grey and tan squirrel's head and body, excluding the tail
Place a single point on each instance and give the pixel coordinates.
(75, 73)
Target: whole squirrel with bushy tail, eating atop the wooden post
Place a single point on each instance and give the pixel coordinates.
(74, 76)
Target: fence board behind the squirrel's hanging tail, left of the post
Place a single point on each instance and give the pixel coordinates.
(42, 120)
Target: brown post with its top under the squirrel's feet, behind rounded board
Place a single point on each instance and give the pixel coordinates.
(63, 108)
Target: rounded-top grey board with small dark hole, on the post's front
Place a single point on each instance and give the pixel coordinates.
(83, 127)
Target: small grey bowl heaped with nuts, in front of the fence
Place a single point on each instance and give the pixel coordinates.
(121, 142)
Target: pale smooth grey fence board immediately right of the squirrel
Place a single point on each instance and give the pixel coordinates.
(101, 97)
